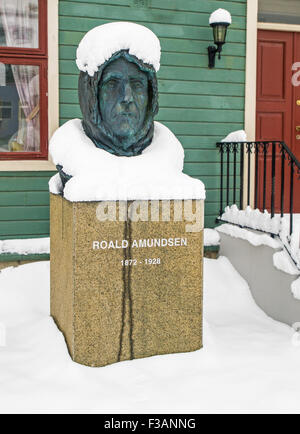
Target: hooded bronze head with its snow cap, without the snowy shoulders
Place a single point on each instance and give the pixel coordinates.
(117, 88)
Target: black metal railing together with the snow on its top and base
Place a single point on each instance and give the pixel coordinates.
(276, 184)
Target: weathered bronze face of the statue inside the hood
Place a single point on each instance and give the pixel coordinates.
(123, 95)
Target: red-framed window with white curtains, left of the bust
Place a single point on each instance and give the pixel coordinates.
(23, 80)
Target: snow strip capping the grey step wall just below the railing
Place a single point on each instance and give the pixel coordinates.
(253, 238)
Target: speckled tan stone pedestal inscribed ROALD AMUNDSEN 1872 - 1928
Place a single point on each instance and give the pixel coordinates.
(122, 290)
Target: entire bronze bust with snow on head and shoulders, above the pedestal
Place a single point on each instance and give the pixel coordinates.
(117, 151)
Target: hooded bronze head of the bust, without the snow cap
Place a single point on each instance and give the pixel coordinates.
(119, 103)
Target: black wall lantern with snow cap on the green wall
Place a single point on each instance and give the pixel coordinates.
(219, 21)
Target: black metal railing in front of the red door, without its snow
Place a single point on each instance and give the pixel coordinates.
(276, 171)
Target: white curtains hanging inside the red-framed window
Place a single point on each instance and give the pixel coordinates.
(19, 19)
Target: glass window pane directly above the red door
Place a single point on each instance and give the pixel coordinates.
(279, 11)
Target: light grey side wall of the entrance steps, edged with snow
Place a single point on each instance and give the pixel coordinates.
(270, 273)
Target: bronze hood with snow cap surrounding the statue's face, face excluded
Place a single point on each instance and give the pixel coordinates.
(97, 50)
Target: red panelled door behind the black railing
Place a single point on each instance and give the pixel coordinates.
(278, 114)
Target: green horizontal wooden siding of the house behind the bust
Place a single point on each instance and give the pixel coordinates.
(199, 105)
